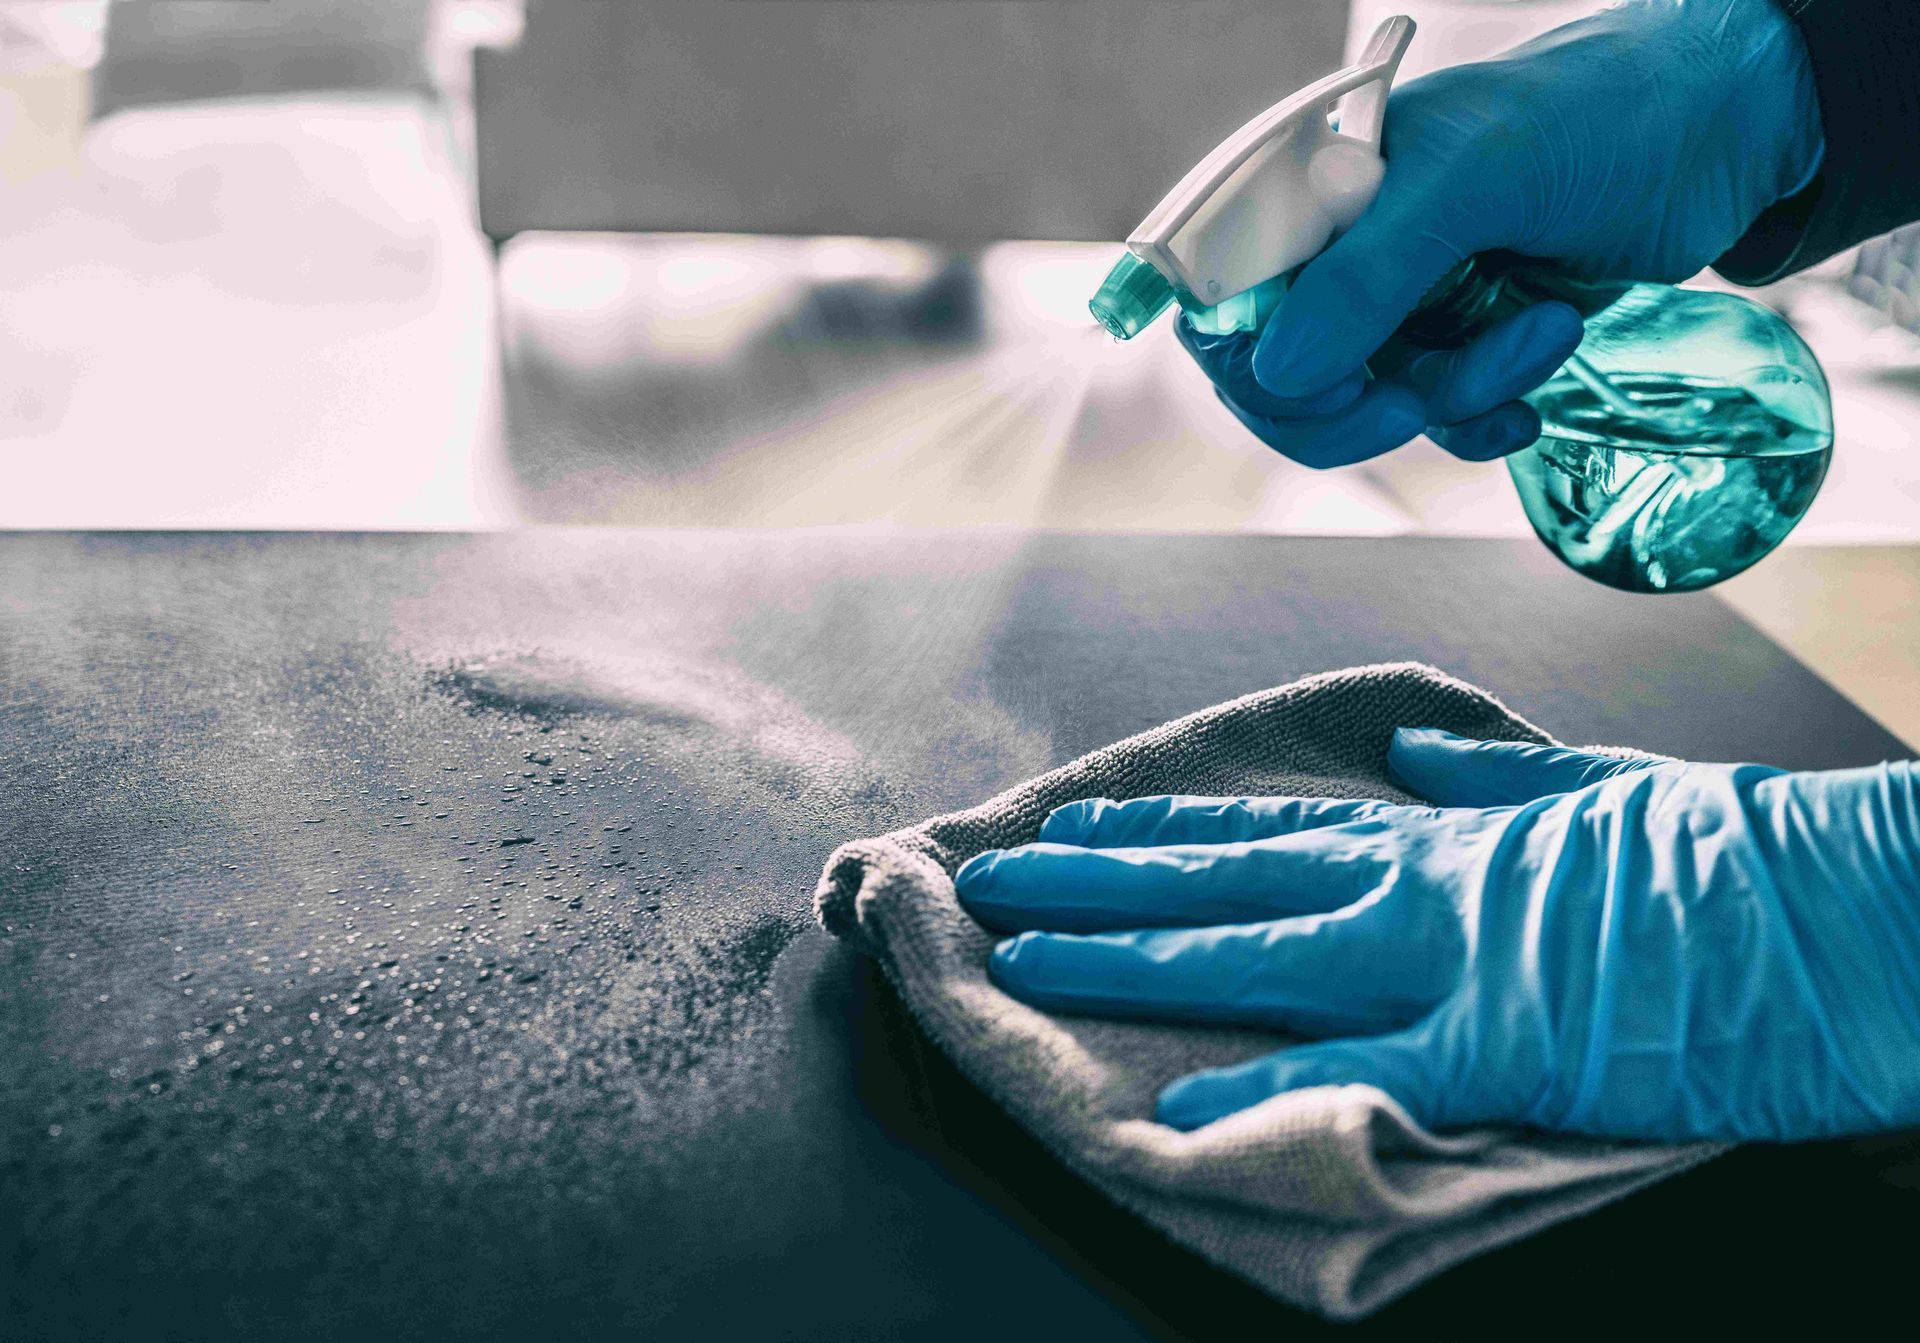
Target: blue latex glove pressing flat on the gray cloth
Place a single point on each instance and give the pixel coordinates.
(1562, 940)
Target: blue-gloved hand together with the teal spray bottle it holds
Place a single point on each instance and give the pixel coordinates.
(1681, 433)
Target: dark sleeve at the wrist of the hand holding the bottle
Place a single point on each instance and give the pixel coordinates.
(1867, 78)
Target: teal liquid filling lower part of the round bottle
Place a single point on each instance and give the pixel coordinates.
(1694, 489)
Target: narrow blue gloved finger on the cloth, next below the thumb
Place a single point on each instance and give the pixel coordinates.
(1099, 823)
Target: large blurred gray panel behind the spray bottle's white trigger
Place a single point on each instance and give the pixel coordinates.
(946, 120)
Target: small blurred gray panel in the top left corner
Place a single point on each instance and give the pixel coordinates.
(185, 51)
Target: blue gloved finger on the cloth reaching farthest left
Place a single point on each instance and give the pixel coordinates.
(1090, 891)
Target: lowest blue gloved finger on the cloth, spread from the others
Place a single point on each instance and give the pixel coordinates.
(1403, 1065)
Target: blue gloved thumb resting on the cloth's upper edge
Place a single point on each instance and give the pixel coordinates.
(1454, 771)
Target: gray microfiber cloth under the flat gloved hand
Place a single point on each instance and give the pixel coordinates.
(1328, 1198)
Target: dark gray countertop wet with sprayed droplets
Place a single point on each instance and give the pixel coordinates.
(410, 935)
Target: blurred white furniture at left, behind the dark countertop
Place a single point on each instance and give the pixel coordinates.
(251, 314)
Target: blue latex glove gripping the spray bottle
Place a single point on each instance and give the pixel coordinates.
(1633, 145)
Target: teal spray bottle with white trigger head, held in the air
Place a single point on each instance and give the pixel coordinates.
(1681, 443)
